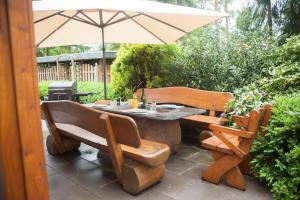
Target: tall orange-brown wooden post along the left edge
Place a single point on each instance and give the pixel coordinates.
(21, 140)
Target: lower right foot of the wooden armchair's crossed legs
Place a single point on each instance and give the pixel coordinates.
(234, 178)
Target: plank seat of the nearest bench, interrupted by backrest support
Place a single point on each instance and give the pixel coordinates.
(149, 153)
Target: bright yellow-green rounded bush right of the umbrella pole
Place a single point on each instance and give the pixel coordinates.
(142, 66)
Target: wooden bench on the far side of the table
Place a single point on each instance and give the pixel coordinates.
(211, 101)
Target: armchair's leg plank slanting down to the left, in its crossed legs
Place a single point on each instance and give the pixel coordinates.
(223, 164)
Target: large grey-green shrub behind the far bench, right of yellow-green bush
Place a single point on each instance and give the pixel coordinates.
(210, 62)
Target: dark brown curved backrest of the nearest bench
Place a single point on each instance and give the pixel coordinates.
(68, 112)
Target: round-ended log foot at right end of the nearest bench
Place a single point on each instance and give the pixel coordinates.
(137, 177)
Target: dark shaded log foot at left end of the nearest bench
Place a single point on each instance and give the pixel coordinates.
(69, 145)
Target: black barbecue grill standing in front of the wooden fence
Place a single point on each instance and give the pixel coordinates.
(62, 91)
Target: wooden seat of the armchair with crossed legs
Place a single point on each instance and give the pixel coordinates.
(214, 143)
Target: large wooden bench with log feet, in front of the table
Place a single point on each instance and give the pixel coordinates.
(70, 124)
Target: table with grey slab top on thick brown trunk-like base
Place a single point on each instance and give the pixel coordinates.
(161, 125)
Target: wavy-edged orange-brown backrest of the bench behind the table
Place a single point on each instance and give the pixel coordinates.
(208, 100)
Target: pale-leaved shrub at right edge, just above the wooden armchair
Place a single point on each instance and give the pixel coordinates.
(283, 78)
